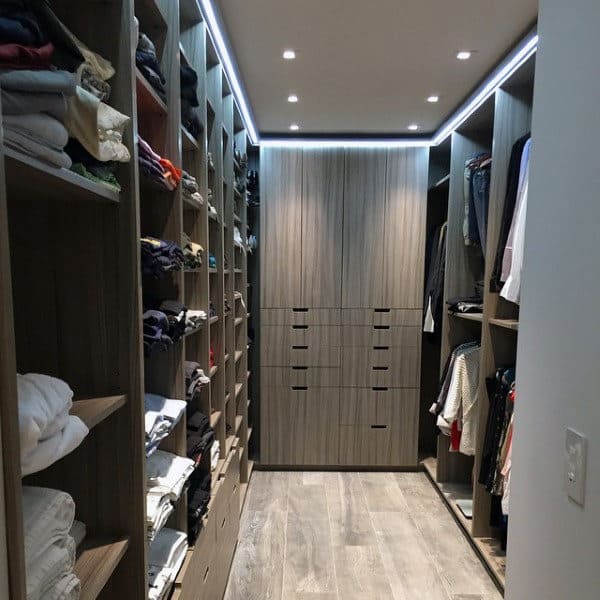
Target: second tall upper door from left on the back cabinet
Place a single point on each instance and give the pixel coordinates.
(322, 218)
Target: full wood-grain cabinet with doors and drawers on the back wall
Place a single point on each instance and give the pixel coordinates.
(341, 300)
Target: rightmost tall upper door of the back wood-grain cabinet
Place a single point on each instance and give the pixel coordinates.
(404, 233)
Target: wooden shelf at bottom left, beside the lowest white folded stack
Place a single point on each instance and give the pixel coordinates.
(96, 563)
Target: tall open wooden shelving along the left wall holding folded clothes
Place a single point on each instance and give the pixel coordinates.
(90, 331)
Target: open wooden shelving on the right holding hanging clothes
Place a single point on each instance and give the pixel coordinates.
(494, 128)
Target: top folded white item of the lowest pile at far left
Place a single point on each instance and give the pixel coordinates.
(47, 519)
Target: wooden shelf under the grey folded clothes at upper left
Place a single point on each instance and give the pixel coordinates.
(27, 174)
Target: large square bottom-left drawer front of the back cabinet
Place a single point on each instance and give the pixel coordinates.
(299, 425)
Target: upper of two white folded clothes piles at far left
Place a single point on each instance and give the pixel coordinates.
(46, 429)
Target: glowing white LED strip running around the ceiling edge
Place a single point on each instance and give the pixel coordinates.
(500, 75)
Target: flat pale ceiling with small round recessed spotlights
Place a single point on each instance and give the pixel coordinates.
(367, 67)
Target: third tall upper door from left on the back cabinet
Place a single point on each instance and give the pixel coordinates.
(364, 208)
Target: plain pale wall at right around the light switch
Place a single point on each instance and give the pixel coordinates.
(554, 545)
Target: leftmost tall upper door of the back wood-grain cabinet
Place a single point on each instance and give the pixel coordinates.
(281, 227)
